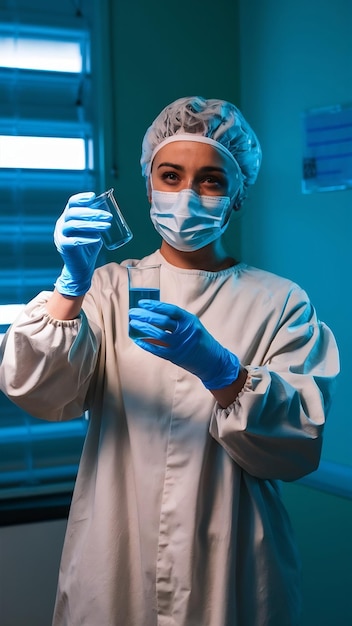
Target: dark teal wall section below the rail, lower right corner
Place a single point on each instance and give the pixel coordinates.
(322, 524)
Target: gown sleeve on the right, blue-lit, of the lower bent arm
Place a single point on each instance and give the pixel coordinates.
(274, 428)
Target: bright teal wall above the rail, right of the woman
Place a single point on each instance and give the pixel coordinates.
(296, 55)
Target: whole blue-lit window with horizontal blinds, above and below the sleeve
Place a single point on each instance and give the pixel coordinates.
(46, 155)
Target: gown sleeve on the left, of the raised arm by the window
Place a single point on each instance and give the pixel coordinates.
(46, 364)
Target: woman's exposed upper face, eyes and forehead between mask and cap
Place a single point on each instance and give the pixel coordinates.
(193, 165)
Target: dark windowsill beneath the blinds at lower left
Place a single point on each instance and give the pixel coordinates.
(34, 509)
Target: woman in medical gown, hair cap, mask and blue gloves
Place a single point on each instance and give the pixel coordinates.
(176, 517)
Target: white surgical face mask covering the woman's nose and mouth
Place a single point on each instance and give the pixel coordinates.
(188, 221)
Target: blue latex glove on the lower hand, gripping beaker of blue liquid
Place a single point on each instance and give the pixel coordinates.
(185, 342)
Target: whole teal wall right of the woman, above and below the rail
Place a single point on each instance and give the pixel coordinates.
(296, 55)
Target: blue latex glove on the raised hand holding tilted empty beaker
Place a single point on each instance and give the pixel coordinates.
(77, 238)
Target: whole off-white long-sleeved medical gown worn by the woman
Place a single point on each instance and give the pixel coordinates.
(176, 518)
